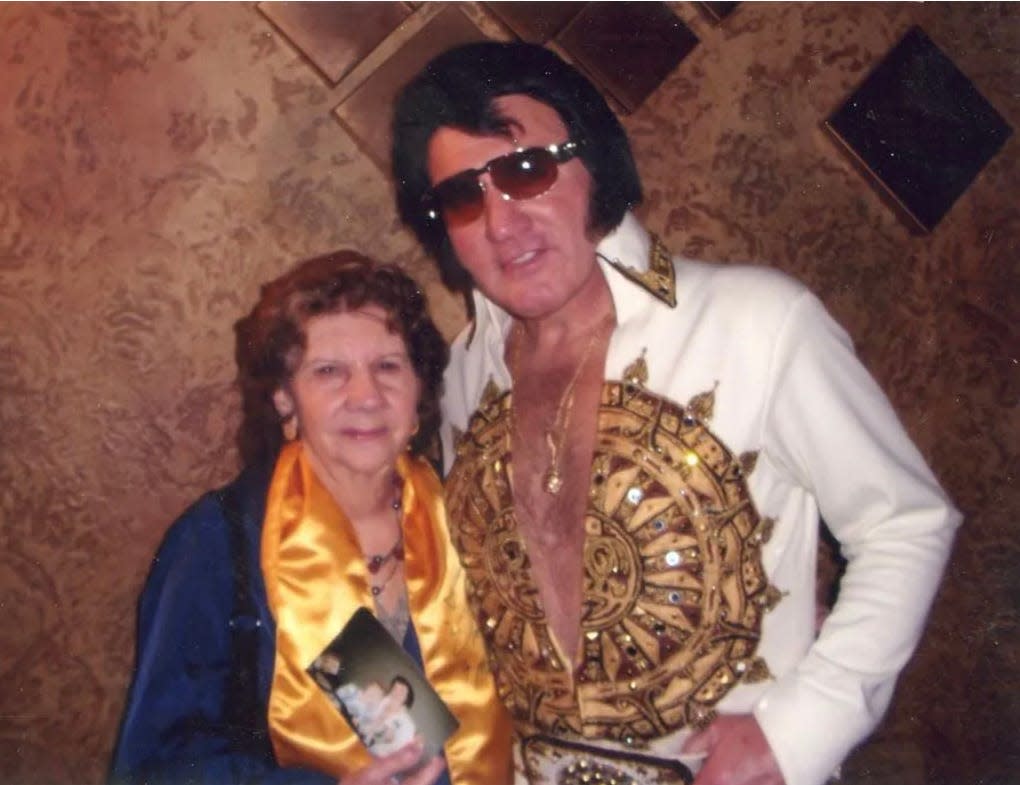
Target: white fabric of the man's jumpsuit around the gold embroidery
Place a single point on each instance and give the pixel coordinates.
(789, 386)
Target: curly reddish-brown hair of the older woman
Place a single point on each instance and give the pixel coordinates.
(271, 340)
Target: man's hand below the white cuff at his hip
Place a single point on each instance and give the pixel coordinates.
(738, 754)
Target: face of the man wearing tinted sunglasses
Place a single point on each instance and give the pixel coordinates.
(534, 257)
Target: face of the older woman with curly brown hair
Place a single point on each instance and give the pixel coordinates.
(355, 394)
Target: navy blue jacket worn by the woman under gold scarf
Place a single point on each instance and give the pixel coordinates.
(197, 707)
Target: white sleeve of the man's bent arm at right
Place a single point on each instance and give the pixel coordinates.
(831, 428)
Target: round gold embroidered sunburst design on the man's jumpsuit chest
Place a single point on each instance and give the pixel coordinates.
(675, 590)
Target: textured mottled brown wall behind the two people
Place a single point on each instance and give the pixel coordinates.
(158, 162)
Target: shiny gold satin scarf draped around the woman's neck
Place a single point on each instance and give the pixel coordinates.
(317, 579)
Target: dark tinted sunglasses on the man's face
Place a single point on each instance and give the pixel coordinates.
(522, 175)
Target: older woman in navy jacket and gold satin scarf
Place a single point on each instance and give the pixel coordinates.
(340, 370)
